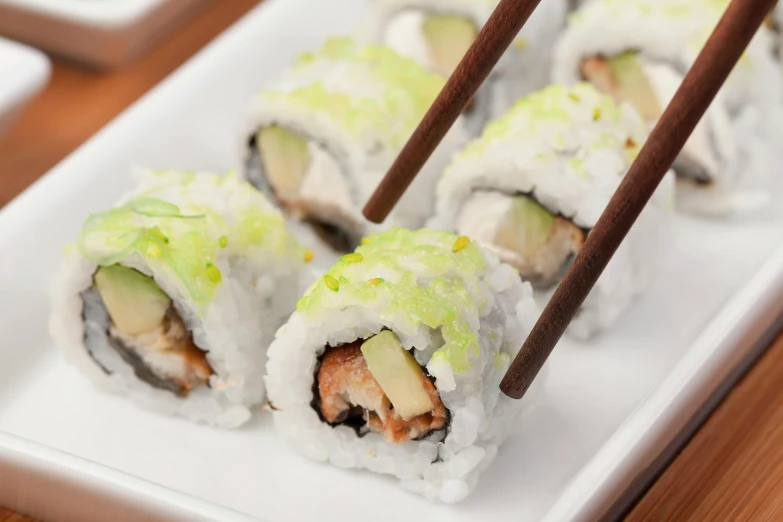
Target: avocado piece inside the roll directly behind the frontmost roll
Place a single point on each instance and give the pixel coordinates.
(525, 228)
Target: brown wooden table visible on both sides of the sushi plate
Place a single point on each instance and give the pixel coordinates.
(731, 470)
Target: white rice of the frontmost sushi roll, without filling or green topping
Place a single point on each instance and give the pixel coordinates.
(481, 417)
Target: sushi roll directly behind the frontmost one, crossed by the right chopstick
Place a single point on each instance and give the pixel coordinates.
(534, 184)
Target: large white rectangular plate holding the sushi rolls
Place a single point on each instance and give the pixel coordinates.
(608, 409)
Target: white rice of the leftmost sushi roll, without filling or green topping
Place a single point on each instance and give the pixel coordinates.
(258, 289)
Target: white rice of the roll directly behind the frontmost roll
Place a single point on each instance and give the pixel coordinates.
(571, 165)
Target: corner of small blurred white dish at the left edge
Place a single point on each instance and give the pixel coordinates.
(23, 73)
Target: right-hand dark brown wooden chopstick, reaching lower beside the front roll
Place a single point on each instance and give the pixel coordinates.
(722, 51)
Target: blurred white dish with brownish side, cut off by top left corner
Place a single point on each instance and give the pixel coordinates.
(100, 33)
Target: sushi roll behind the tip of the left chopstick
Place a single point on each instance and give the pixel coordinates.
(320, 138)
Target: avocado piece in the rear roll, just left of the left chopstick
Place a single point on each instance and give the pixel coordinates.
(449, 38)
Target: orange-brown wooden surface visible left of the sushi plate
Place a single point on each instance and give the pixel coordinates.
(78, 102)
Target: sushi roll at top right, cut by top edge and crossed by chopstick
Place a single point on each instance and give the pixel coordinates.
(640, 50)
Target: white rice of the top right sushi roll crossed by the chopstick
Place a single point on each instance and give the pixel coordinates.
(743, 119)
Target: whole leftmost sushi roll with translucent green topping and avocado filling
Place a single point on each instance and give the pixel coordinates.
(173, 296)
